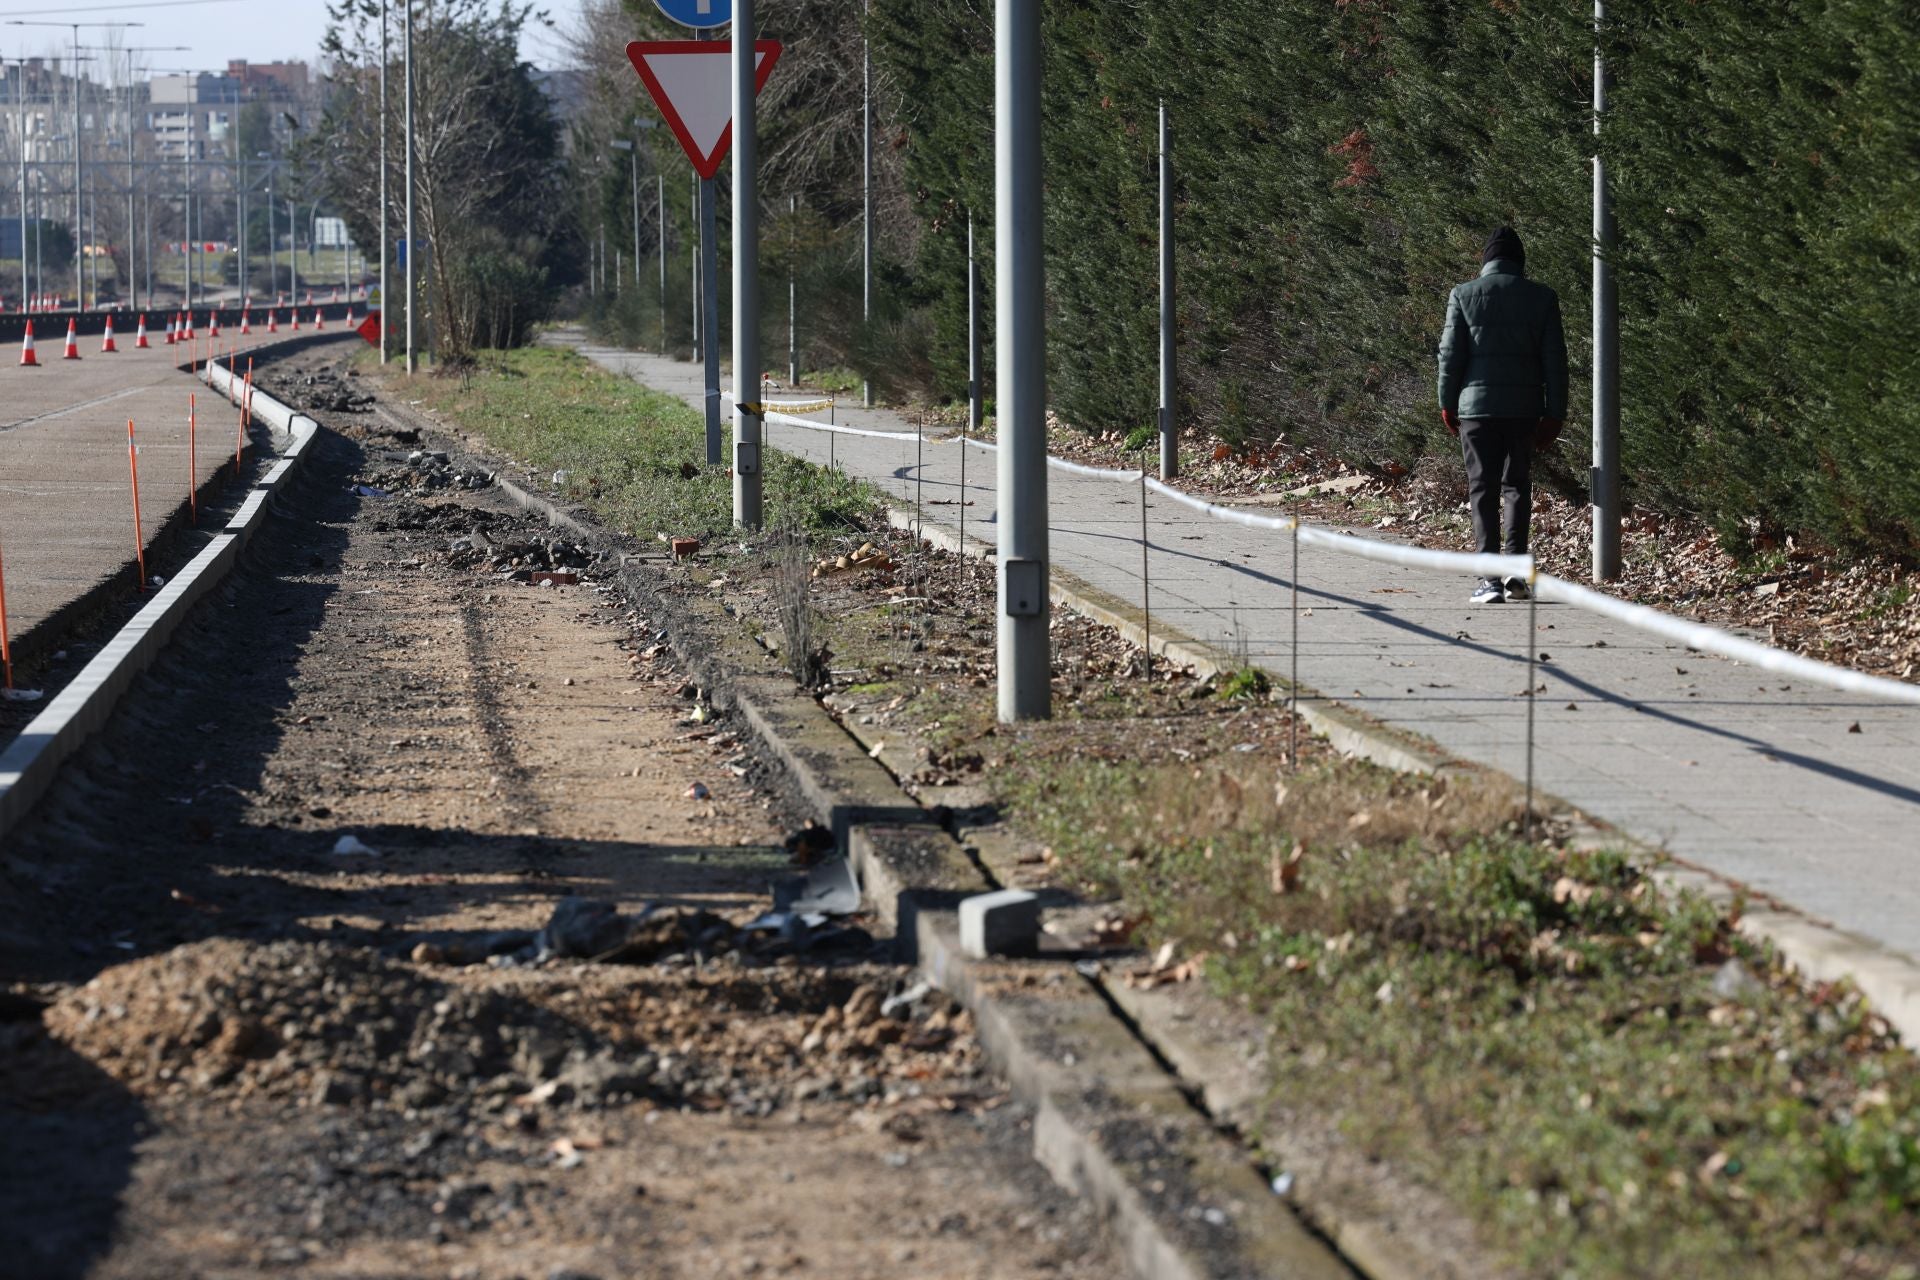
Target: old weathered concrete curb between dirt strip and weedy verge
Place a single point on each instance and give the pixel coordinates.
(1111, 1122)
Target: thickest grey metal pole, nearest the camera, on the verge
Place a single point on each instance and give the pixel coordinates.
(1020, 323)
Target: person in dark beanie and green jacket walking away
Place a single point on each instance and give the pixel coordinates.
(1502, 396)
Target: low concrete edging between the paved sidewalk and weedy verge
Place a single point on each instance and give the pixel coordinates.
(1819, 951)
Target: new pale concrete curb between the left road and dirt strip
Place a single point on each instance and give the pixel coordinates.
(32, 761)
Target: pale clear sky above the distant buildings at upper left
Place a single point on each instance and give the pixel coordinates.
(218, 32)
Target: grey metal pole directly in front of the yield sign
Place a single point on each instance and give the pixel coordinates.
(748, 412)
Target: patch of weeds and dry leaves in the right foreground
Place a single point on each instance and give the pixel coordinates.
(1604, 1072)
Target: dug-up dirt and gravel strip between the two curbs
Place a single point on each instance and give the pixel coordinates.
(231, 1051)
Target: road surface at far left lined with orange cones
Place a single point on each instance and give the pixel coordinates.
(66, 504)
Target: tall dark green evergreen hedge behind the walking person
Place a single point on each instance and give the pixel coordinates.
(1341, 164)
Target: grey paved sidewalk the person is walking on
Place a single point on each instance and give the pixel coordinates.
(1744, 774)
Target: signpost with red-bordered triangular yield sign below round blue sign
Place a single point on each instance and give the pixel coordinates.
(690, 85)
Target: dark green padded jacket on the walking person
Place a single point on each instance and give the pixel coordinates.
(1504, 352)
